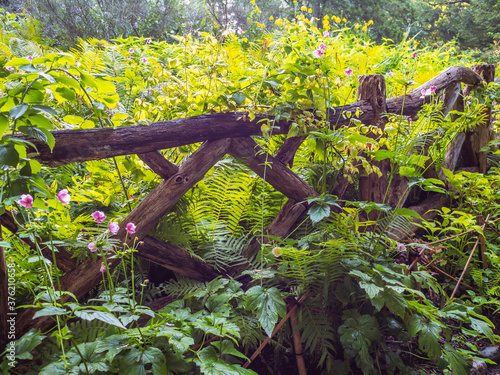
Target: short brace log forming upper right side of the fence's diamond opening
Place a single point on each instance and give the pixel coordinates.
(275, 172)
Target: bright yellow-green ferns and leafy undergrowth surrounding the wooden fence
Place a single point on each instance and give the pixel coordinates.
(359, 300)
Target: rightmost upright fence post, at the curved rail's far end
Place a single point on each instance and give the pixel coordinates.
(480, 137)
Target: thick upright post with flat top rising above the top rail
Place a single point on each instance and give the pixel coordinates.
(372, 88)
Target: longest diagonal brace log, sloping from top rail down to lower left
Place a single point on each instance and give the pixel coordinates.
(146, 214)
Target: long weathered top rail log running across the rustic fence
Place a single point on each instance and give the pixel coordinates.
(93, 144)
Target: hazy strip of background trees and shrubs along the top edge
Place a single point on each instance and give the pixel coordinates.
(472, 23)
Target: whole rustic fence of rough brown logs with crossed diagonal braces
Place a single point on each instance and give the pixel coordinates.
(230, 133)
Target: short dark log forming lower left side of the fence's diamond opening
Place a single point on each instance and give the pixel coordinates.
(171, 257)
